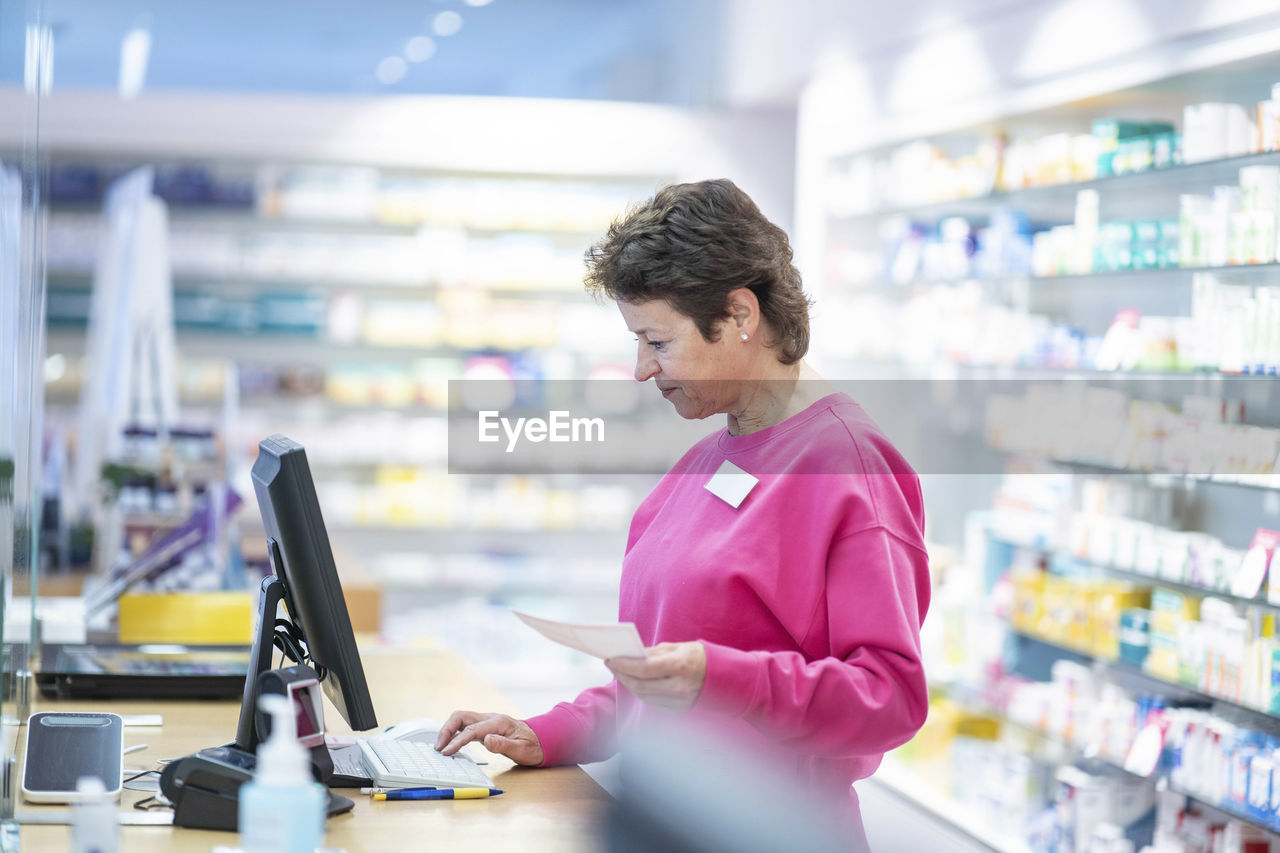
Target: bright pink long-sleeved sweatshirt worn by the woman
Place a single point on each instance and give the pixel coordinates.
(808, 597)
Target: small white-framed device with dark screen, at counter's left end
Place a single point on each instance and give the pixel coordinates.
(65, 747)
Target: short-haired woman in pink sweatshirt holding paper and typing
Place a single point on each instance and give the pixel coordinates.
(793, 618)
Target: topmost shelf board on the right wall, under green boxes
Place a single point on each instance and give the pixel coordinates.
(1172, 179)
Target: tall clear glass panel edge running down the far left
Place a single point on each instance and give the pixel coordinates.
(28, 44)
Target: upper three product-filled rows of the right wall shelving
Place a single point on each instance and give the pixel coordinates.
(1164, 236)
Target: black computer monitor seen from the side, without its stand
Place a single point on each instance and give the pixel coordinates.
(313, 595)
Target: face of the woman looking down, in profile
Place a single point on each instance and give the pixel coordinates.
(700, 377)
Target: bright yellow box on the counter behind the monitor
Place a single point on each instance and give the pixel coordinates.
(196, 619)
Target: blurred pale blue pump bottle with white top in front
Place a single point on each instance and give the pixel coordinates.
(284, 809)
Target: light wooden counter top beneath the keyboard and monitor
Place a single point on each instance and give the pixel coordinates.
(542, 810)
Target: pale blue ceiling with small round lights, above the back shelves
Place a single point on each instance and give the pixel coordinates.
(642, 51)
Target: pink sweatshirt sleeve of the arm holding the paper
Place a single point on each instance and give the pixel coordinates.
(870, 695)
